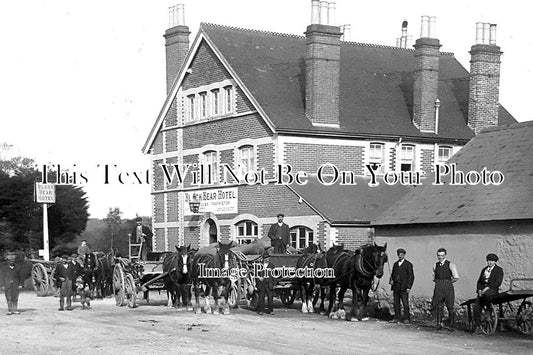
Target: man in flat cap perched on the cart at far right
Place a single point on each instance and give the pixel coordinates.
(488, 285)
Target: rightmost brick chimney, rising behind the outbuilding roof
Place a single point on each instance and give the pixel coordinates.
(484, 91)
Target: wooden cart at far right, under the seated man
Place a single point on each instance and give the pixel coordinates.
(507, 312)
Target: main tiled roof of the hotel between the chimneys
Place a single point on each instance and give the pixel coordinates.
(376, 84)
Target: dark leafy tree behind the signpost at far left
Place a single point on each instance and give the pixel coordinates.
(21, 217)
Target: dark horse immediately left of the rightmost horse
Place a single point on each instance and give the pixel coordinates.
(331, 259)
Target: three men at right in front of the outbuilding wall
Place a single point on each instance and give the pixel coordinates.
(445, 274)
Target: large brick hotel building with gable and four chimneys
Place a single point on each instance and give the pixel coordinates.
(255, 99)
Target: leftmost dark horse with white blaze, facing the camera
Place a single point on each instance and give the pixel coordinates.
(178, 265)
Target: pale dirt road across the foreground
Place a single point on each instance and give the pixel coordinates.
(155, 329)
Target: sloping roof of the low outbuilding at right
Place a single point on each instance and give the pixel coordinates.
(507, 149)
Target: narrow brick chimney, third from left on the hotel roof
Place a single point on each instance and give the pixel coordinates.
(426, 76)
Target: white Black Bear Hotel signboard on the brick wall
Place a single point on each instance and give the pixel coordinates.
(217, 201)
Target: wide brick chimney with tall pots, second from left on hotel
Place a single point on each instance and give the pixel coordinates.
(322, 65)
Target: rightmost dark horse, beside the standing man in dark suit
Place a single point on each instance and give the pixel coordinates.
(357, 273)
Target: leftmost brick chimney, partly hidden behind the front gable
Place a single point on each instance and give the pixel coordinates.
(176, 42)
